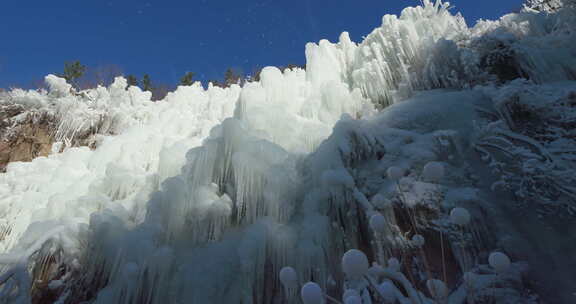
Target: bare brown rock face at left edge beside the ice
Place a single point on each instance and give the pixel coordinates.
(23, 136)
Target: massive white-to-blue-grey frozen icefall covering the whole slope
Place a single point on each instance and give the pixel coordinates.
(205, 196)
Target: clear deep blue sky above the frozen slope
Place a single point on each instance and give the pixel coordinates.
(167, 38)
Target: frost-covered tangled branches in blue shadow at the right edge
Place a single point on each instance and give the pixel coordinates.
(525, 144)
